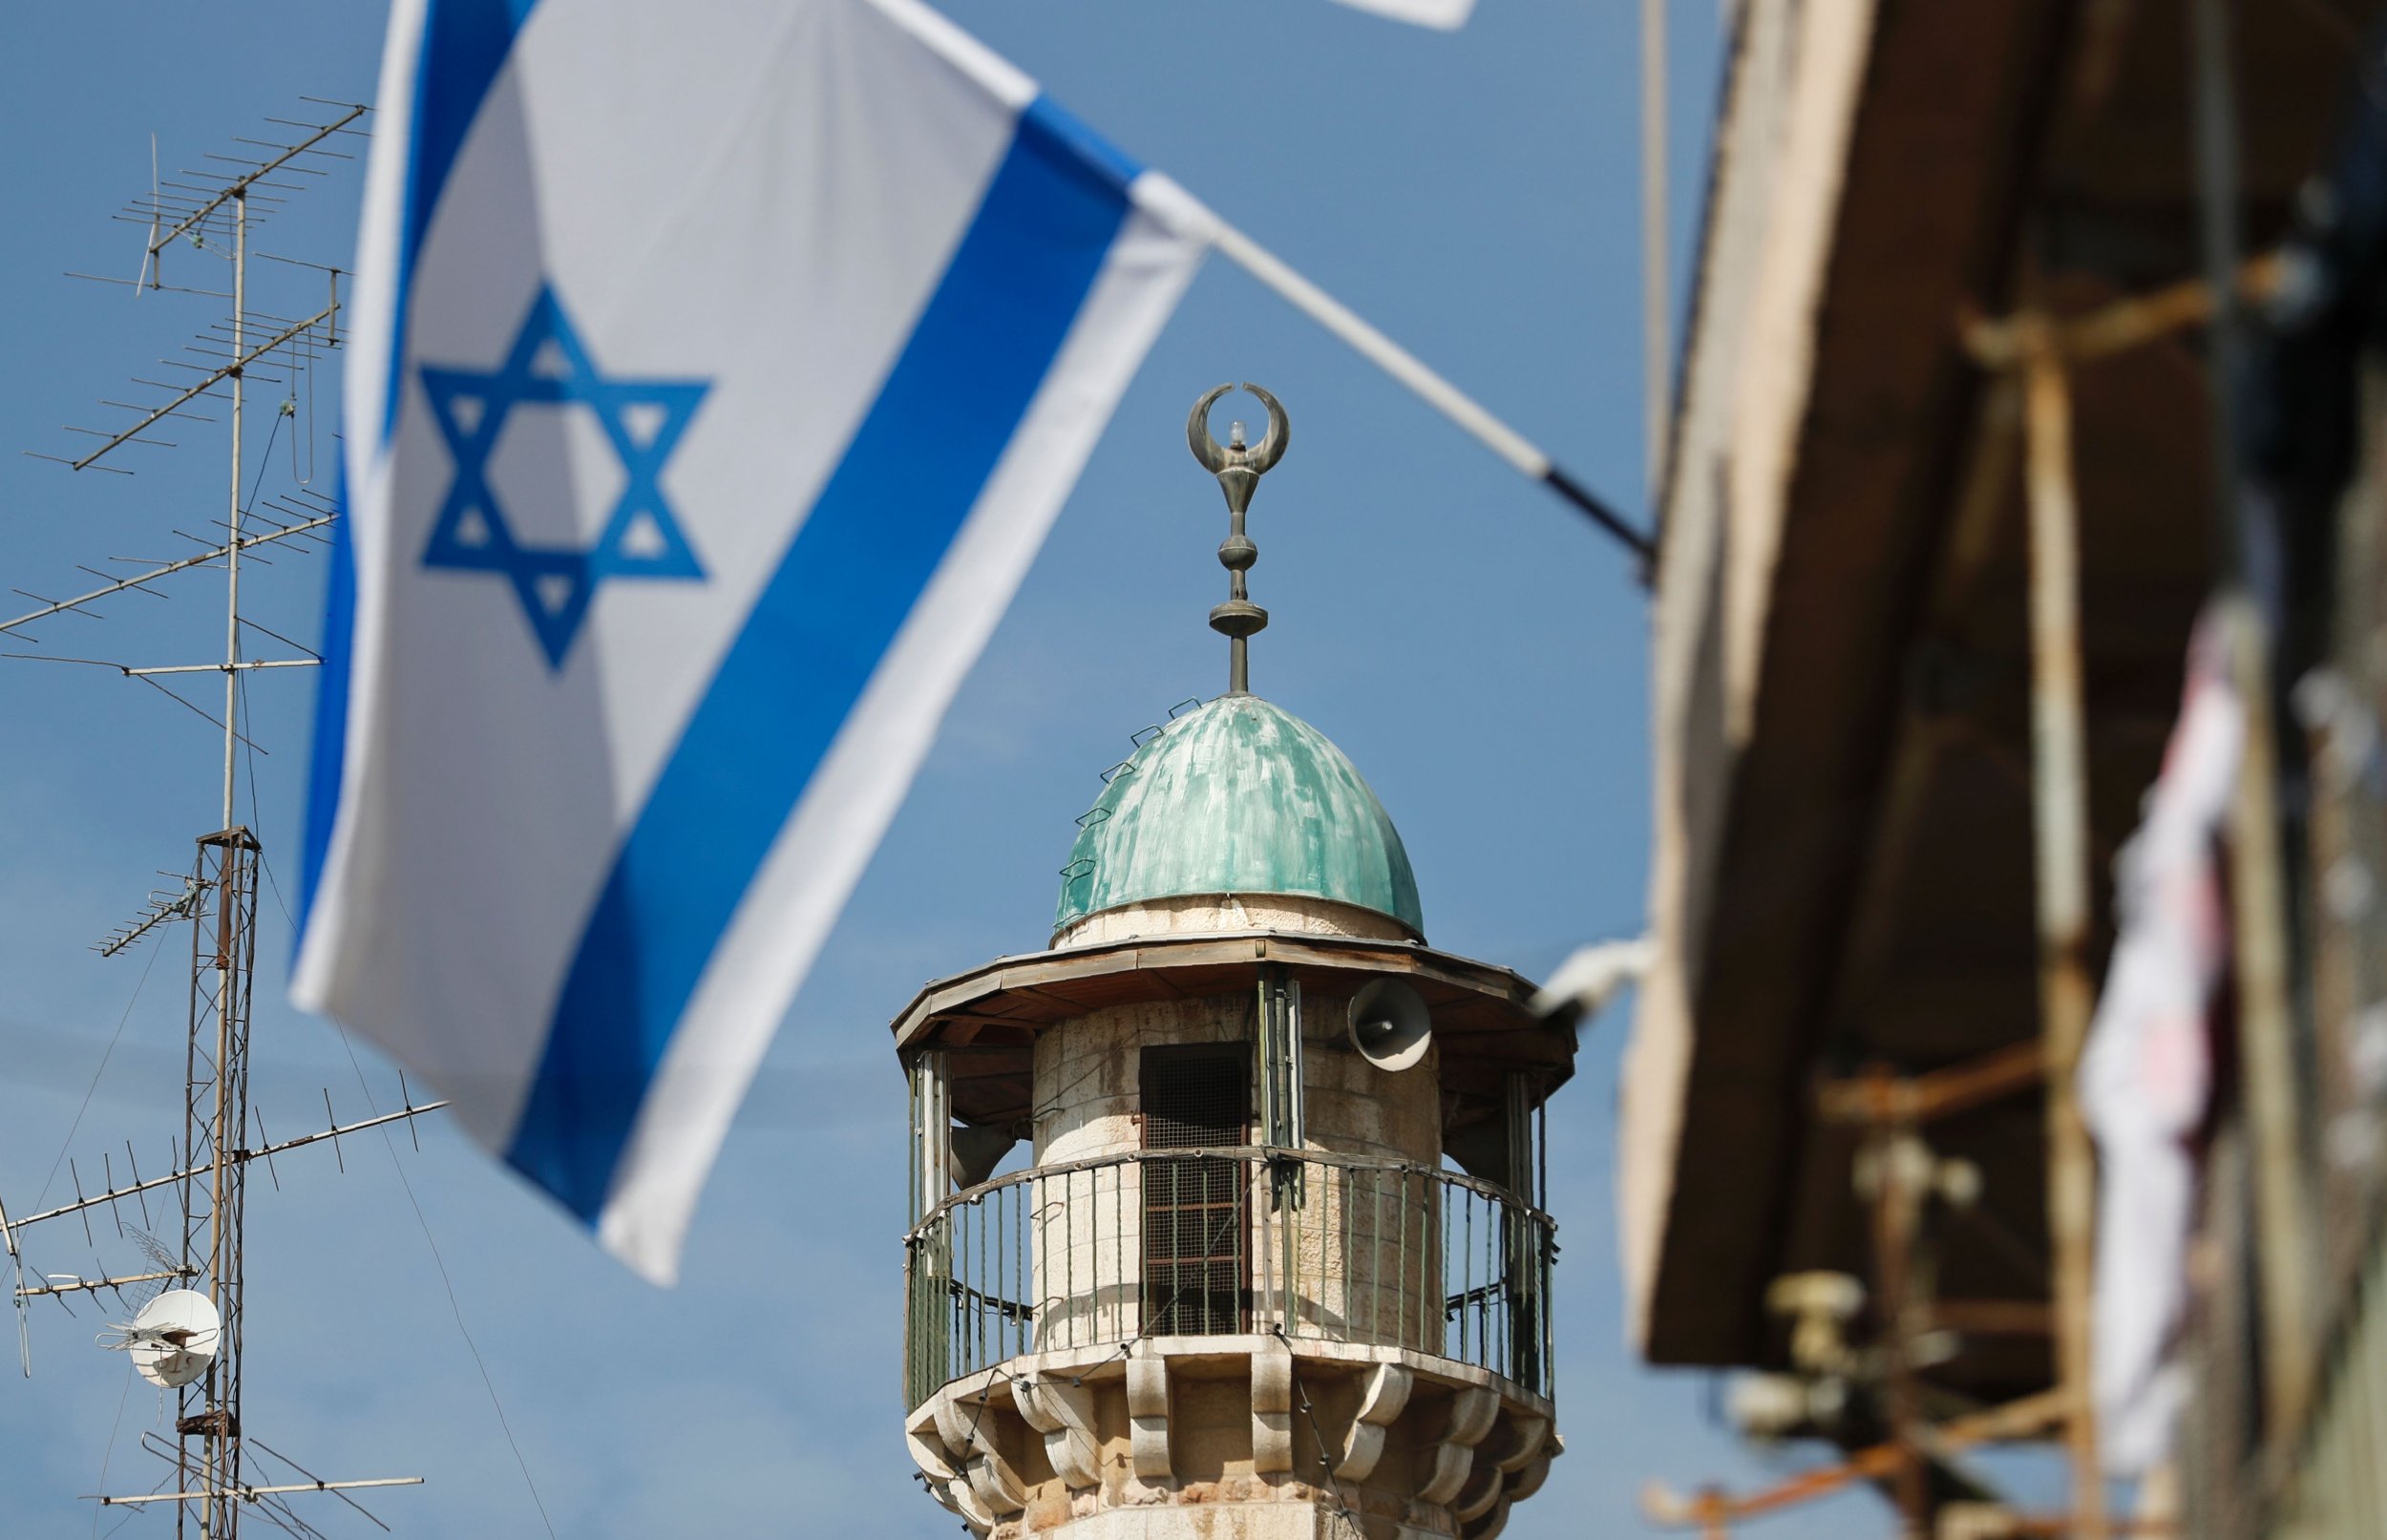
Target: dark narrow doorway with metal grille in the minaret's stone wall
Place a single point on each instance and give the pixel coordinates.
(1195, 1226)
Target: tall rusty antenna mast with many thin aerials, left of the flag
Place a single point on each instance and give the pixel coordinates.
(211, 211)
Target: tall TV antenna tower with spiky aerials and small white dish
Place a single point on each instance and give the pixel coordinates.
(187, 1333)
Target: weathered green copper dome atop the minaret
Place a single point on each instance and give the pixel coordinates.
(1238, 799)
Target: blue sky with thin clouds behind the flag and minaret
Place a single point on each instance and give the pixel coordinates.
(1472, 643)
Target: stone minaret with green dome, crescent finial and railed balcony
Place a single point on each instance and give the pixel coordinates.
(1235, 1290)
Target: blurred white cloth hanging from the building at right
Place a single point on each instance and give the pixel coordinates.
(2147, 1071)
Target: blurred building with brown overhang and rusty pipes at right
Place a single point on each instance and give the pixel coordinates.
(2028, 345)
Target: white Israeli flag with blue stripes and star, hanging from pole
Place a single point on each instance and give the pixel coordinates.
(715, 376)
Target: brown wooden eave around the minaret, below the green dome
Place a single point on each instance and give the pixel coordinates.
(989, 1018)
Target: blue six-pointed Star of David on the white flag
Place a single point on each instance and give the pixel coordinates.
(643, 421)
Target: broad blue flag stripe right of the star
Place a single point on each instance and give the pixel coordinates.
(813, 643)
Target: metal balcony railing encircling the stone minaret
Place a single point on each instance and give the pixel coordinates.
(1233, 1240)
